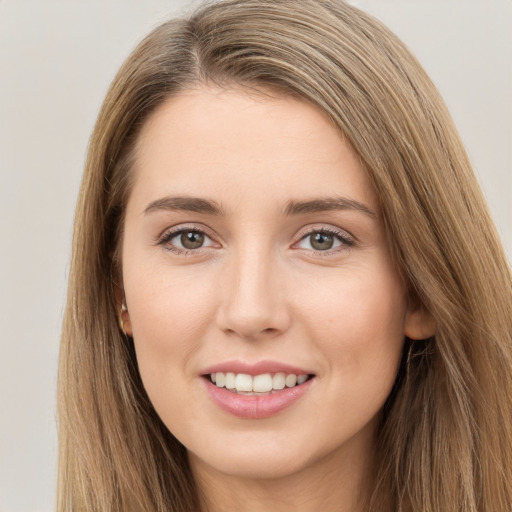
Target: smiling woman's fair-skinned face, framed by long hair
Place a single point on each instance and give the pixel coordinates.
(267, 316)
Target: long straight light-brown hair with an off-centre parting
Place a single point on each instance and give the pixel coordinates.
(445, 441)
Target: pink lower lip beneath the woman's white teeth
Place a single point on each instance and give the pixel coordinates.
(254, 406)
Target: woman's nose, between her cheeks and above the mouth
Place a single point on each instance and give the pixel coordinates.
(253, 297)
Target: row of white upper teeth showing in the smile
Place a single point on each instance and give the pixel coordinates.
(264, 383)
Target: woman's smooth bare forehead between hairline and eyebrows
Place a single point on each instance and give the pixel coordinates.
(208, 141)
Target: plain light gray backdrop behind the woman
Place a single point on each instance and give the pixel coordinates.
(56, 61)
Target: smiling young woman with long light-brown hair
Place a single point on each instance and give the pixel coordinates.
(286, 291)
